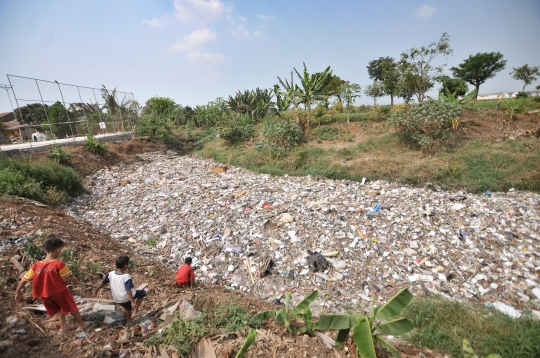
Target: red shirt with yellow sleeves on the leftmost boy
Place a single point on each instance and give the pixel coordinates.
(47, 277)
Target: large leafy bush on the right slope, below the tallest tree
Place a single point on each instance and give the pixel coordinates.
(428, 123)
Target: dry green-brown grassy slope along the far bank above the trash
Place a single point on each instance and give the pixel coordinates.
(475, 166)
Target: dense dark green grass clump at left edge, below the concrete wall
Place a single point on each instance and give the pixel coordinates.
(48, 182)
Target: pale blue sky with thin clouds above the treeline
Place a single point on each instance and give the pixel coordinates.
(195, 50)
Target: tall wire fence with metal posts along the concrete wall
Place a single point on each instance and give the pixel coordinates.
(49, 110)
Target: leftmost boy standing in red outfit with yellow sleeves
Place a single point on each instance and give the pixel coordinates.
(49, 278)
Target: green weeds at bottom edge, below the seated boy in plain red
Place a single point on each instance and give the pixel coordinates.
(182, 333)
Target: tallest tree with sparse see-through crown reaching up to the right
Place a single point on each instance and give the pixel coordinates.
(416, 65)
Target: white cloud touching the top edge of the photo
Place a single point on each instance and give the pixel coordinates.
(199, 11)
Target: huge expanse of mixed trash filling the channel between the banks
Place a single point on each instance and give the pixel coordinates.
(264, 234)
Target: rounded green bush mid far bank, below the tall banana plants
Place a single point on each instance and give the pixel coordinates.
(280, 135)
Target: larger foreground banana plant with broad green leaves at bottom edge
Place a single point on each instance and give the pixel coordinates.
(367, 330)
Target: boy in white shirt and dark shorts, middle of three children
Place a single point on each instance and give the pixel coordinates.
(122, 288)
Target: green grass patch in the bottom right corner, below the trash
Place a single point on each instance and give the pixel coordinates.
(442, 325)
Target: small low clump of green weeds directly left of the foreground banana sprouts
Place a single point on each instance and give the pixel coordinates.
(232, 318)
